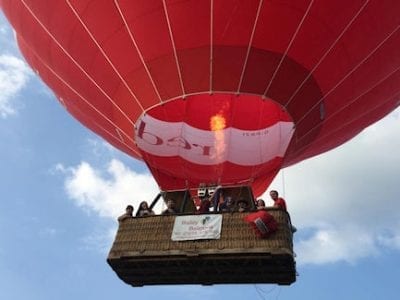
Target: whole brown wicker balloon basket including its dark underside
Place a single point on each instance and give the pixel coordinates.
(144, 254)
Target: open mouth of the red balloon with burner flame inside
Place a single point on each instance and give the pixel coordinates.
(204, 137)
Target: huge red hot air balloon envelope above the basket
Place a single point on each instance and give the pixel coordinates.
(219, 91)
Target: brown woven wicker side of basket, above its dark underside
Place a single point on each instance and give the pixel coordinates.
(151, 236)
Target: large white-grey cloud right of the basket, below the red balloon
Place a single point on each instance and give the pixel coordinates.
(345, 202)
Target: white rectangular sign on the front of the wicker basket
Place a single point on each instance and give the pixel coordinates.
(197, 227)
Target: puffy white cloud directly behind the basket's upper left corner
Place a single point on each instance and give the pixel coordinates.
(107, 193)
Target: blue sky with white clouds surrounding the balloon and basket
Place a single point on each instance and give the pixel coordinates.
(62, 188)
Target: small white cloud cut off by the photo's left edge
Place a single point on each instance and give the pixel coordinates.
(14, 75)
